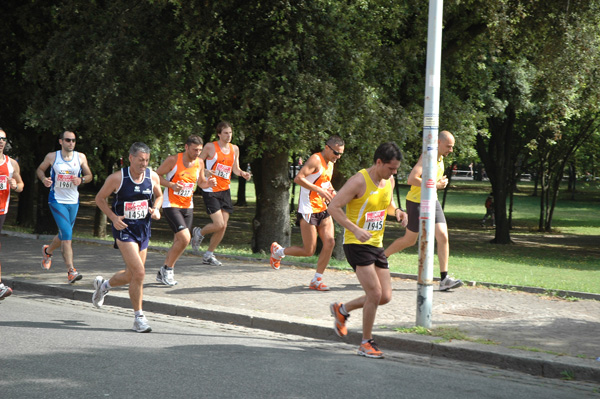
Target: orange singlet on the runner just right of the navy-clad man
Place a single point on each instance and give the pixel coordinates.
(188, 178)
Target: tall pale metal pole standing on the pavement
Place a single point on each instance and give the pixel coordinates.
(430, 149)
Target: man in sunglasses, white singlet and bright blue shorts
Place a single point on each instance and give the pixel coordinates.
(68, 170)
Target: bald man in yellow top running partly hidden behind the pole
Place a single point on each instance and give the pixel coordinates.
(413, 199)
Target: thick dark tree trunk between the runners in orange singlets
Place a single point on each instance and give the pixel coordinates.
(272, 219)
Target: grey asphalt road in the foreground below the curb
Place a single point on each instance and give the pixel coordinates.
(59, 348)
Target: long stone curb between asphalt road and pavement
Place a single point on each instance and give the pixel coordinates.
(534, 363)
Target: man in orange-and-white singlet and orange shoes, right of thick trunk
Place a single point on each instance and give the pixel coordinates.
(315, 193)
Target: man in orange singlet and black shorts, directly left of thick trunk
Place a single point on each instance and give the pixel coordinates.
(221, 159)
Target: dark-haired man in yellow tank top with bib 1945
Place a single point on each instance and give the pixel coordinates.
(368, 199)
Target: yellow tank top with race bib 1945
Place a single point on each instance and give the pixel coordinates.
(369, 211)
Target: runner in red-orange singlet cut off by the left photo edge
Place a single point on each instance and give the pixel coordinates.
(10, 179)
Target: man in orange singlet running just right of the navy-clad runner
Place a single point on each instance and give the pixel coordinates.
(180, 174)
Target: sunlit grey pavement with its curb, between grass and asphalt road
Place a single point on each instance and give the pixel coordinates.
(523, 331)
